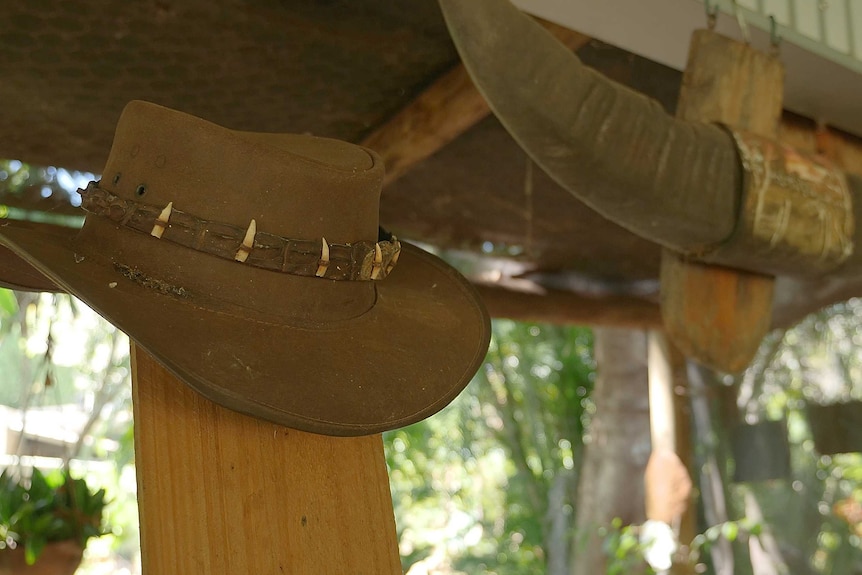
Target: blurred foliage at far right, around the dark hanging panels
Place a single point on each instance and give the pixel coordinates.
(818, 361)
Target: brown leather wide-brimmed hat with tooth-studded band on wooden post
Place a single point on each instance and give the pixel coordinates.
(253, 267)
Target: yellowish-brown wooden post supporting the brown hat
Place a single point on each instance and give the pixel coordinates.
(226, 494)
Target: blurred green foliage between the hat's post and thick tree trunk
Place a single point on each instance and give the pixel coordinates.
(487, 485)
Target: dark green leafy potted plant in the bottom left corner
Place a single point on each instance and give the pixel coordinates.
(46, 509)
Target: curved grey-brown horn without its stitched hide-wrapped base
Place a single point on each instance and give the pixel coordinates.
(673, 182)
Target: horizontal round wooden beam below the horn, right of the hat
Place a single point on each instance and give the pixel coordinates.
(562, 307)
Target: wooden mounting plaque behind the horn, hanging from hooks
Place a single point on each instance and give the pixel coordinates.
(719, 315)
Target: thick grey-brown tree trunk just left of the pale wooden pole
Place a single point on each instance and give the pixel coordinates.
(615, 458)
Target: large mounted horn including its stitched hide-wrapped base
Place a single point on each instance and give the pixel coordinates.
(695, 188)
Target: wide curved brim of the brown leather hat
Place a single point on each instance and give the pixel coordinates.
(394, 365)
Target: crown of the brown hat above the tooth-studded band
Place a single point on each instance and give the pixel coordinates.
(296, 186)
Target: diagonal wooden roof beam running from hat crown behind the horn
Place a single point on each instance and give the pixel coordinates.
(447, 109)
